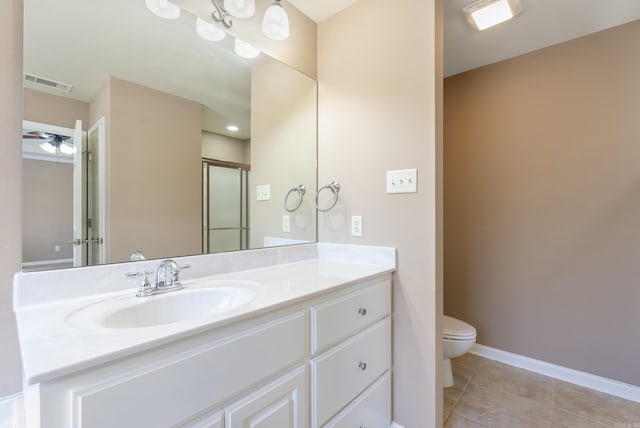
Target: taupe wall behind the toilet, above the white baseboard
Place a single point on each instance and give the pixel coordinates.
(542, 203)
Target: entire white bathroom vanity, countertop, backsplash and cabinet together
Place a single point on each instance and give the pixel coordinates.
(303, 342)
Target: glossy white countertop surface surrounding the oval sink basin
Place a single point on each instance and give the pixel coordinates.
(51, 347)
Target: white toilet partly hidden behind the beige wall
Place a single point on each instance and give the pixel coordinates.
(458, 338)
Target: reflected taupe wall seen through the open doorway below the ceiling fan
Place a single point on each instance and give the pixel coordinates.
(47, 201)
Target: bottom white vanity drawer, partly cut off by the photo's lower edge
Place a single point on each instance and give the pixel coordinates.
(372, 409)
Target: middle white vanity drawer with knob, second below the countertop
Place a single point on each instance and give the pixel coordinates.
(342, 373)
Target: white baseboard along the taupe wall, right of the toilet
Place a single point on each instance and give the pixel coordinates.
(598, 383)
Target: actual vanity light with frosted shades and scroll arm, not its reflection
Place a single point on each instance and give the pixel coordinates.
(275, 23)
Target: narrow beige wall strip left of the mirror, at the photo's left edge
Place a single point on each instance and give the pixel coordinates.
(10, 186)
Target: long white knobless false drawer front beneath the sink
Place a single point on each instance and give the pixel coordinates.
(194, 381)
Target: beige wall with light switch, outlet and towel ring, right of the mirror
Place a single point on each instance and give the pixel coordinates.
(379, 107)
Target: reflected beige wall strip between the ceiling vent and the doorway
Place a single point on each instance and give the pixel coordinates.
(55, 110)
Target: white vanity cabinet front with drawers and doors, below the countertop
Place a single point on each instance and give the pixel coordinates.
(319, 361)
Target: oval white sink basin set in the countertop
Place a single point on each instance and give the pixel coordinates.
(190, 303)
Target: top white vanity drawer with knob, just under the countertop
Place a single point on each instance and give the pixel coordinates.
(338, 319)
